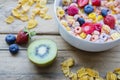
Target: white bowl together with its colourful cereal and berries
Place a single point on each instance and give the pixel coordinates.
(89, 25)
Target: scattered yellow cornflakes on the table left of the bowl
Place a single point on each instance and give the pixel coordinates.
(23, 7)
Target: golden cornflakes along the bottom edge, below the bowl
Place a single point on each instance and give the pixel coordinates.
(86, 73)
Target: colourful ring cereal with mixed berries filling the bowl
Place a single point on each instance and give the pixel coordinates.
(83, 17)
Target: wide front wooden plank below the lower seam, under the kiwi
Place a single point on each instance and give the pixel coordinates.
(19, 67)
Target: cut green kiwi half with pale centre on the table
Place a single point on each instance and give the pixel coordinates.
(42, 52)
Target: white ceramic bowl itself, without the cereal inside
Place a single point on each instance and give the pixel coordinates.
(81, 43)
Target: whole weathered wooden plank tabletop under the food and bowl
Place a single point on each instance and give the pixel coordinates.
(20, 68)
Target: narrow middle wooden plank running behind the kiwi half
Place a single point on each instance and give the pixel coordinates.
(62, 45)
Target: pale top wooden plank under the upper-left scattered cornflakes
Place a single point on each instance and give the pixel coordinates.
(44, 26)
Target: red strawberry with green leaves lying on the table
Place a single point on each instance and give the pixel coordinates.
(24, 36)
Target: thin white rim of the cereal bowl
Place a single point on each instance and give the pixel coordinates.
(55, 1)
